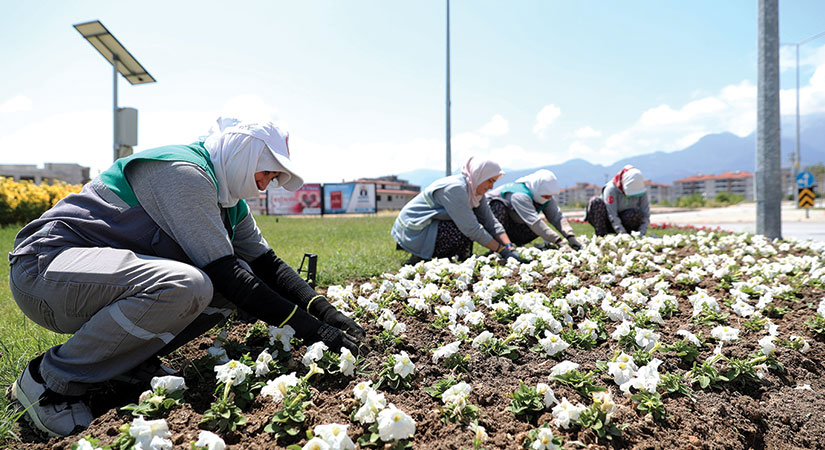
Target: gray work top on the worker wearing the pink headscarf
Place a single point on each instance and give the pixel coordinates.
(416, 227)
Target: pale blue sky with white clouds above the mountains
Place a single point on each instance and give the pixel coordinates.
(360, 84)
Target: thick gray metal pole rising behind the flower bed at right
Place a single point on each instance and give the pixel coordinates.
(768, 151)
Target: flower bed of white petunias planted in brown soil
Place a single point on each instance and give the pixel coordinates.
(693, 340)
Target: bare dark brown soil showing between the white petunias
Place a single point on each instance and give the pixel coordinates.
(774, 413)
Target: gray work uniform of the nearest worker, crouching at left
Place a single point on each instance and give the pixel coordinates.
(126, 280)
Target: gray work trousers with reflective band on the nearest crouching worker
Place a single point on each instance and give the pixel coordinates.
(121, 306)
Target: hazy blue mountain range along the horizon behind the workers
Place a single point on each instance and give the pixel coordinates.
(712, 154)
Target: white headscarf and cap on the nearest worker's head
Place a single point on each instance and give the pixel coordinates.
(240, 149)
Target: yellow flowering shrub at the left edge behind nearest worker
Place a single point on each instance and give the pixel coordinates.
(24, 201)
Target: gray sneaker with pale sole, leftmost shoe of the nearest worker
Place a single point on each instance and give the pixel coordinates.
(50, 412)
